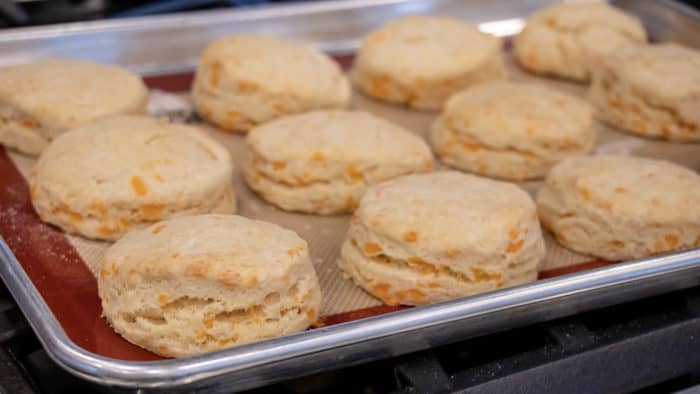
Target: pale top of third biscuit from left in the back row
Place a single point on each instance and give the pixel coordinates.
(426, 47)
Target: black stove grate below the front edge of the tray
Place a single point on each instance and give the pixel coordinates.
(646, 346)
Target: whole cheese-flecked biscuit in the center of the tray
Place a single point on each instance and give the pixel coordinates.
(322, 161)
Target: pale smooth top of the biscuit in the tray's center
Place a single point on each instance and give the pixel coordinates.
(343, 136)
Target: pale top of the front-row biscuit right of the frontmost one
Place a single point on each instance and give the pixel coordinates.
(449, 210)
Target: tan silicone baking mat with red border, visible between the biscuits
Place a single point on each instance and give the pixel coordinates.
(62, 266)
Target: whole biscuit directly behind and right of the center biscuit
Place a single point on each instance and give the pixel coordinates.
(512, 130)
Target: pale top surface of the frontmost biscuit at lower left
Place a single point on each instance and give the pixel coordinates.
(230, 249)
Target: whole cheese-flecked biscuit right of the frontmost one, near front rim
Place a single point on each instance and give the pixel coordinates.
(420, 239)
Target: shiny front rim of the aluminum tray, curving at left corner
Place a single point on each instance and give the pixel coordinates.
(392, 334)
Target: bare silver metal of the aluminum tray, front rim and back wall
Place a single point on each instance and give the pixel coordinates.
(178, 40)
